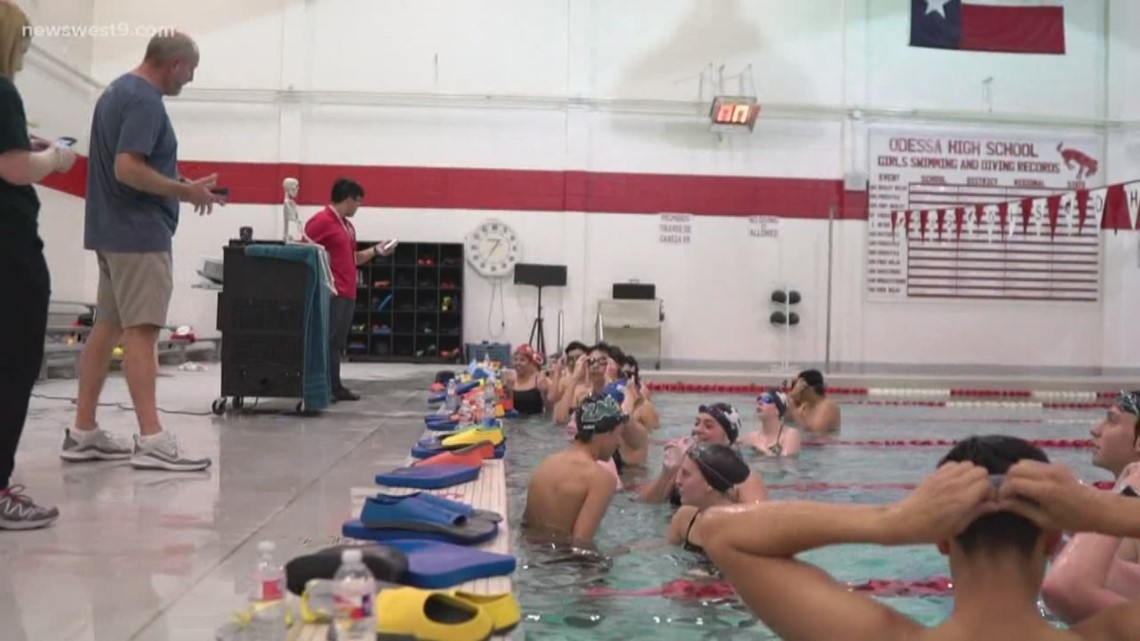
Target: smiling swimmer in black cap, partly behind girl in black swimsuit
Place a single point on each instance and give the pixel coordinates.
(720, 424)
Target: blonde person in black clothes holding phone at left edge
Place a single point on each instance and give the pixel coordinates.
(28, 285)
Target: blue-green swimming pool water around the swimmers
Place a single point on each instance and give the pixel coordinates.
(556, 589)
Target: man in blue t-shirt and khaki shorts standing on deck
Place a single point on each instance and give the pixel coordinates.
(134, 193)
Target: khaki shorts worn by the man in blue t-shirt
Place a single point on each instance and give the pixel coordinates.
(135, 289)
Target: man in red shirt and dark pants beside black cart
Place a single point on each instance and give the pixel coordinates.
(332, 229)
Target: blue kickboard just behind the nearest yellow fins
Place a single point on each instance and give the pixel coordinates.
(435, 566)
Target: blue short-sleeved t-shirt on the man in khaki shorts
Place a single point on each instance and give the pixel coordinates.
(131, 118)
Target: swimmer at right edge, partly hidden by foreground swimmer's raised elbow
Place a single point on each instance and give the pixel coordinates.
(1094, 572)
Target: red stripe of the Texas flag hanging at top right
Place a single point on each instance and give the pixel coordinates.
(1024, 30)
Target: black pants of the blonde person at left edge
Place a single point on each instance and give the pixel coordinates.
(27, 287)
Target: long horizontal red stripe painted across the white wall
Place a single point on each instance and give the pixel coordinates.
(424, 188)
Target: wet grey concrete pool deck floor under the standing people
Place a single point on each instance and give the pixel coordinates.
(166, 556)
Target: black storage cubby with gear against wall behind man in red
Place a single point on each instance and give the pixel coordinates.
(410, 305)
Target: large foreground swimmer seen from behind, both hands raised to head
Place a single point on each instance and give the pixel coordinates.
(996, 508)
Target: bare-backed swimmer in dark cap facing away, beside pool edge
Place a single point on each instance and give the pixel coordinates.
(569, 493)
